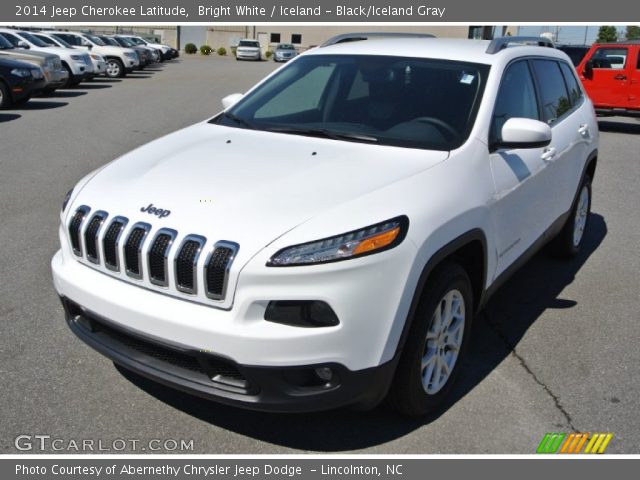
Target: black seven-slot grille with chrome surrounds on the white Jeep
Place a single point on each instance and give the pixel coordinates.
(108, 245)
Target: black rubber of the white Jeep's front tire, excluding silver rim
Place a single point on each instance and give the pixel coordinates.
(407, 394)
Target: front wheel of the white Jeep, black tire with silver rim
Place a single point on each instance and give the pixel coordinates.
(436, 344)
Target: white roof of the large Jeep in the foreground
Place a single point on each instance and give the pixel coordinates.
(474, 51)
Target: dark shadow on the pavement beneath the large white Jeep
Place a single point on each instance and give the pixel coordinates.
(497, 330)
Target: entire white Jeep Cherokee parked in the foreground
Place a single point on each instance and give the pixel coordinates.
(327, 239)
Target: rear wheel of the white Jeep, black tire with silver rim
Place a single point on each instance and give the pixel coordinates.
(567, 244)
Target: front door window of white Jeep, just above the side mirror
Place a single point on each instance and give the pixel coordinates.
(516, 98)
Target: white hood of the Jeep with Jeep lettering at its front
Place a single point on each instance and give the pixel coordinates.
(245, 186)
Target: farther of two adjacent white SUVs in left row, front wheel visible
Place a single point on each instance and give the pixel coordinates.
(119, 61)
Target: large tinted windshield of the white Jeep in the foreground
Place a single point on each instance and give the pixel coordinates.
(406, 102)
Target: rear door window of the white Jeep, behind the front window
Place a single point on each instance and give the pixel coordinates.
(553, 91)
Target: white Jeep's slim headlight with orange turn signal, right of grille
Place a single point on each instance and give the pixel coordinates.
(368, 240)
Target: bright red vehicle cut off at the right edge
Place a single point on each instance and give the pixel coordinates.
(610, 73)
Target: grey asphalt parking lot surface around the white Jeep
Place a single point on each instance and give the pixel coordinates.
(556, 350)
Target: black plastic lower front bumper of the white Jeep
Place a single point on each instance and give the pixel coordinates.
(277, 389)
